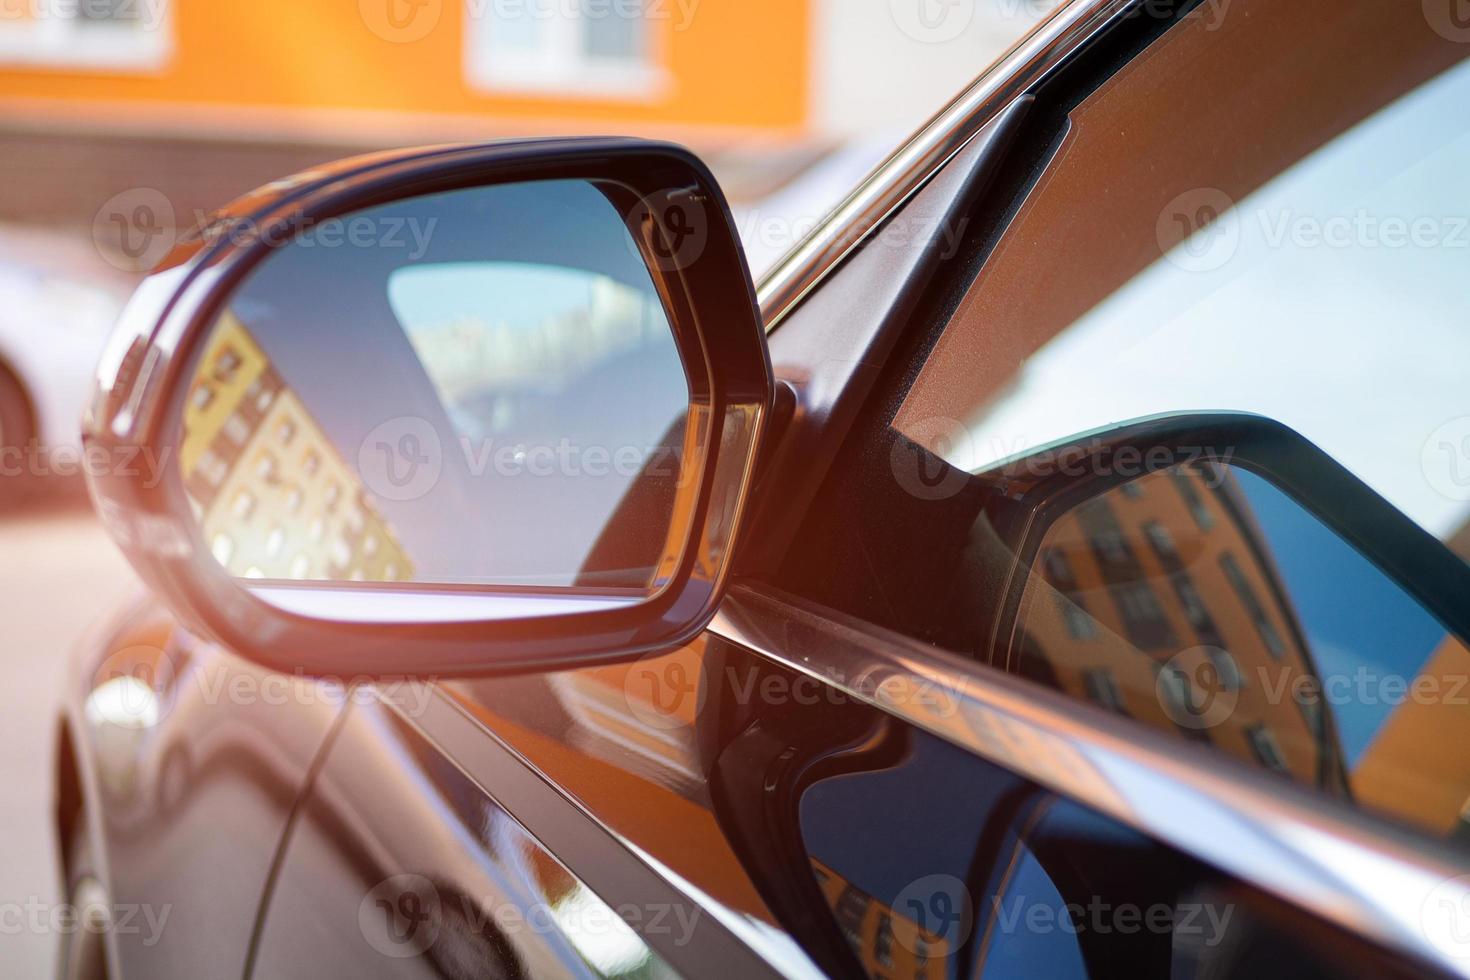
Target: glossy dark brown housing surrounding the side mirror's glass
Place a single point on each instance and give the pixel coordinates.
(681, 226)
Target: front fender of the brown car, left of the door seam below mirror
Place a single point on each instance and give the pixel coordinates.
(198, 760)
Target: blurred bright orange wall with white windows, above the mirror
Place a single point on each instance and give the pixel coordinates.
(355, 70)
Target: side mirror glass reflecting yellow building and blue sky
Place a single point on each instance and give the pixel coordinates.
(474, 389)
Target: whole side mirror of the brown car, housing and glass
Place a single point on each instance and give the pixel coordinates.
(446, 412)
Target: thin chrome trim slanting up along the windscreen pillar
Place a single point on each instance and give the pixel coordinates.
(914, 164)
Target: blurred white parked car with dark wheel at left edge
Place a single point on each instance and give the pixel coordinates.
(52, 331)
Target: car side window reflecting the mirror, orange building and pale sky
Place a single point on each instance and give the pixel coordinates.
(1194, 446)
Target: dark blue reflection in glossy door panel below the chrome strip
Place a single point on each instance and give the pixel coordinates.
(937, 865)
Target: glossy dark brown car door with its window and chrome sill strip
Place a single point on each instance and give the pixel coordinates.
(839, 777)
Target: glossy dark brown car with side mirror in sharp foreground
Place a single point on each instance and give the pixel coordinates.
(1055, 568)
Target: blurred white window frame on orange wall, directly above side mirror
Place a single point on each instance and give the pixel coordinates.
(559, 64)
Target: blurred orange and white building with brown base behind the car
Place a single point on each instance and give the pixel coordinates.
(207, 99)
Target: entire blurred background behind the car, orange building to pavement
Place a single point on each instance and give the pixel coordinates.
(124, 121)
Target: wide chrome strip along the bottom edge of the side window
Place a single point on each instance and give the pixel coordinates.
(1344, 866)
